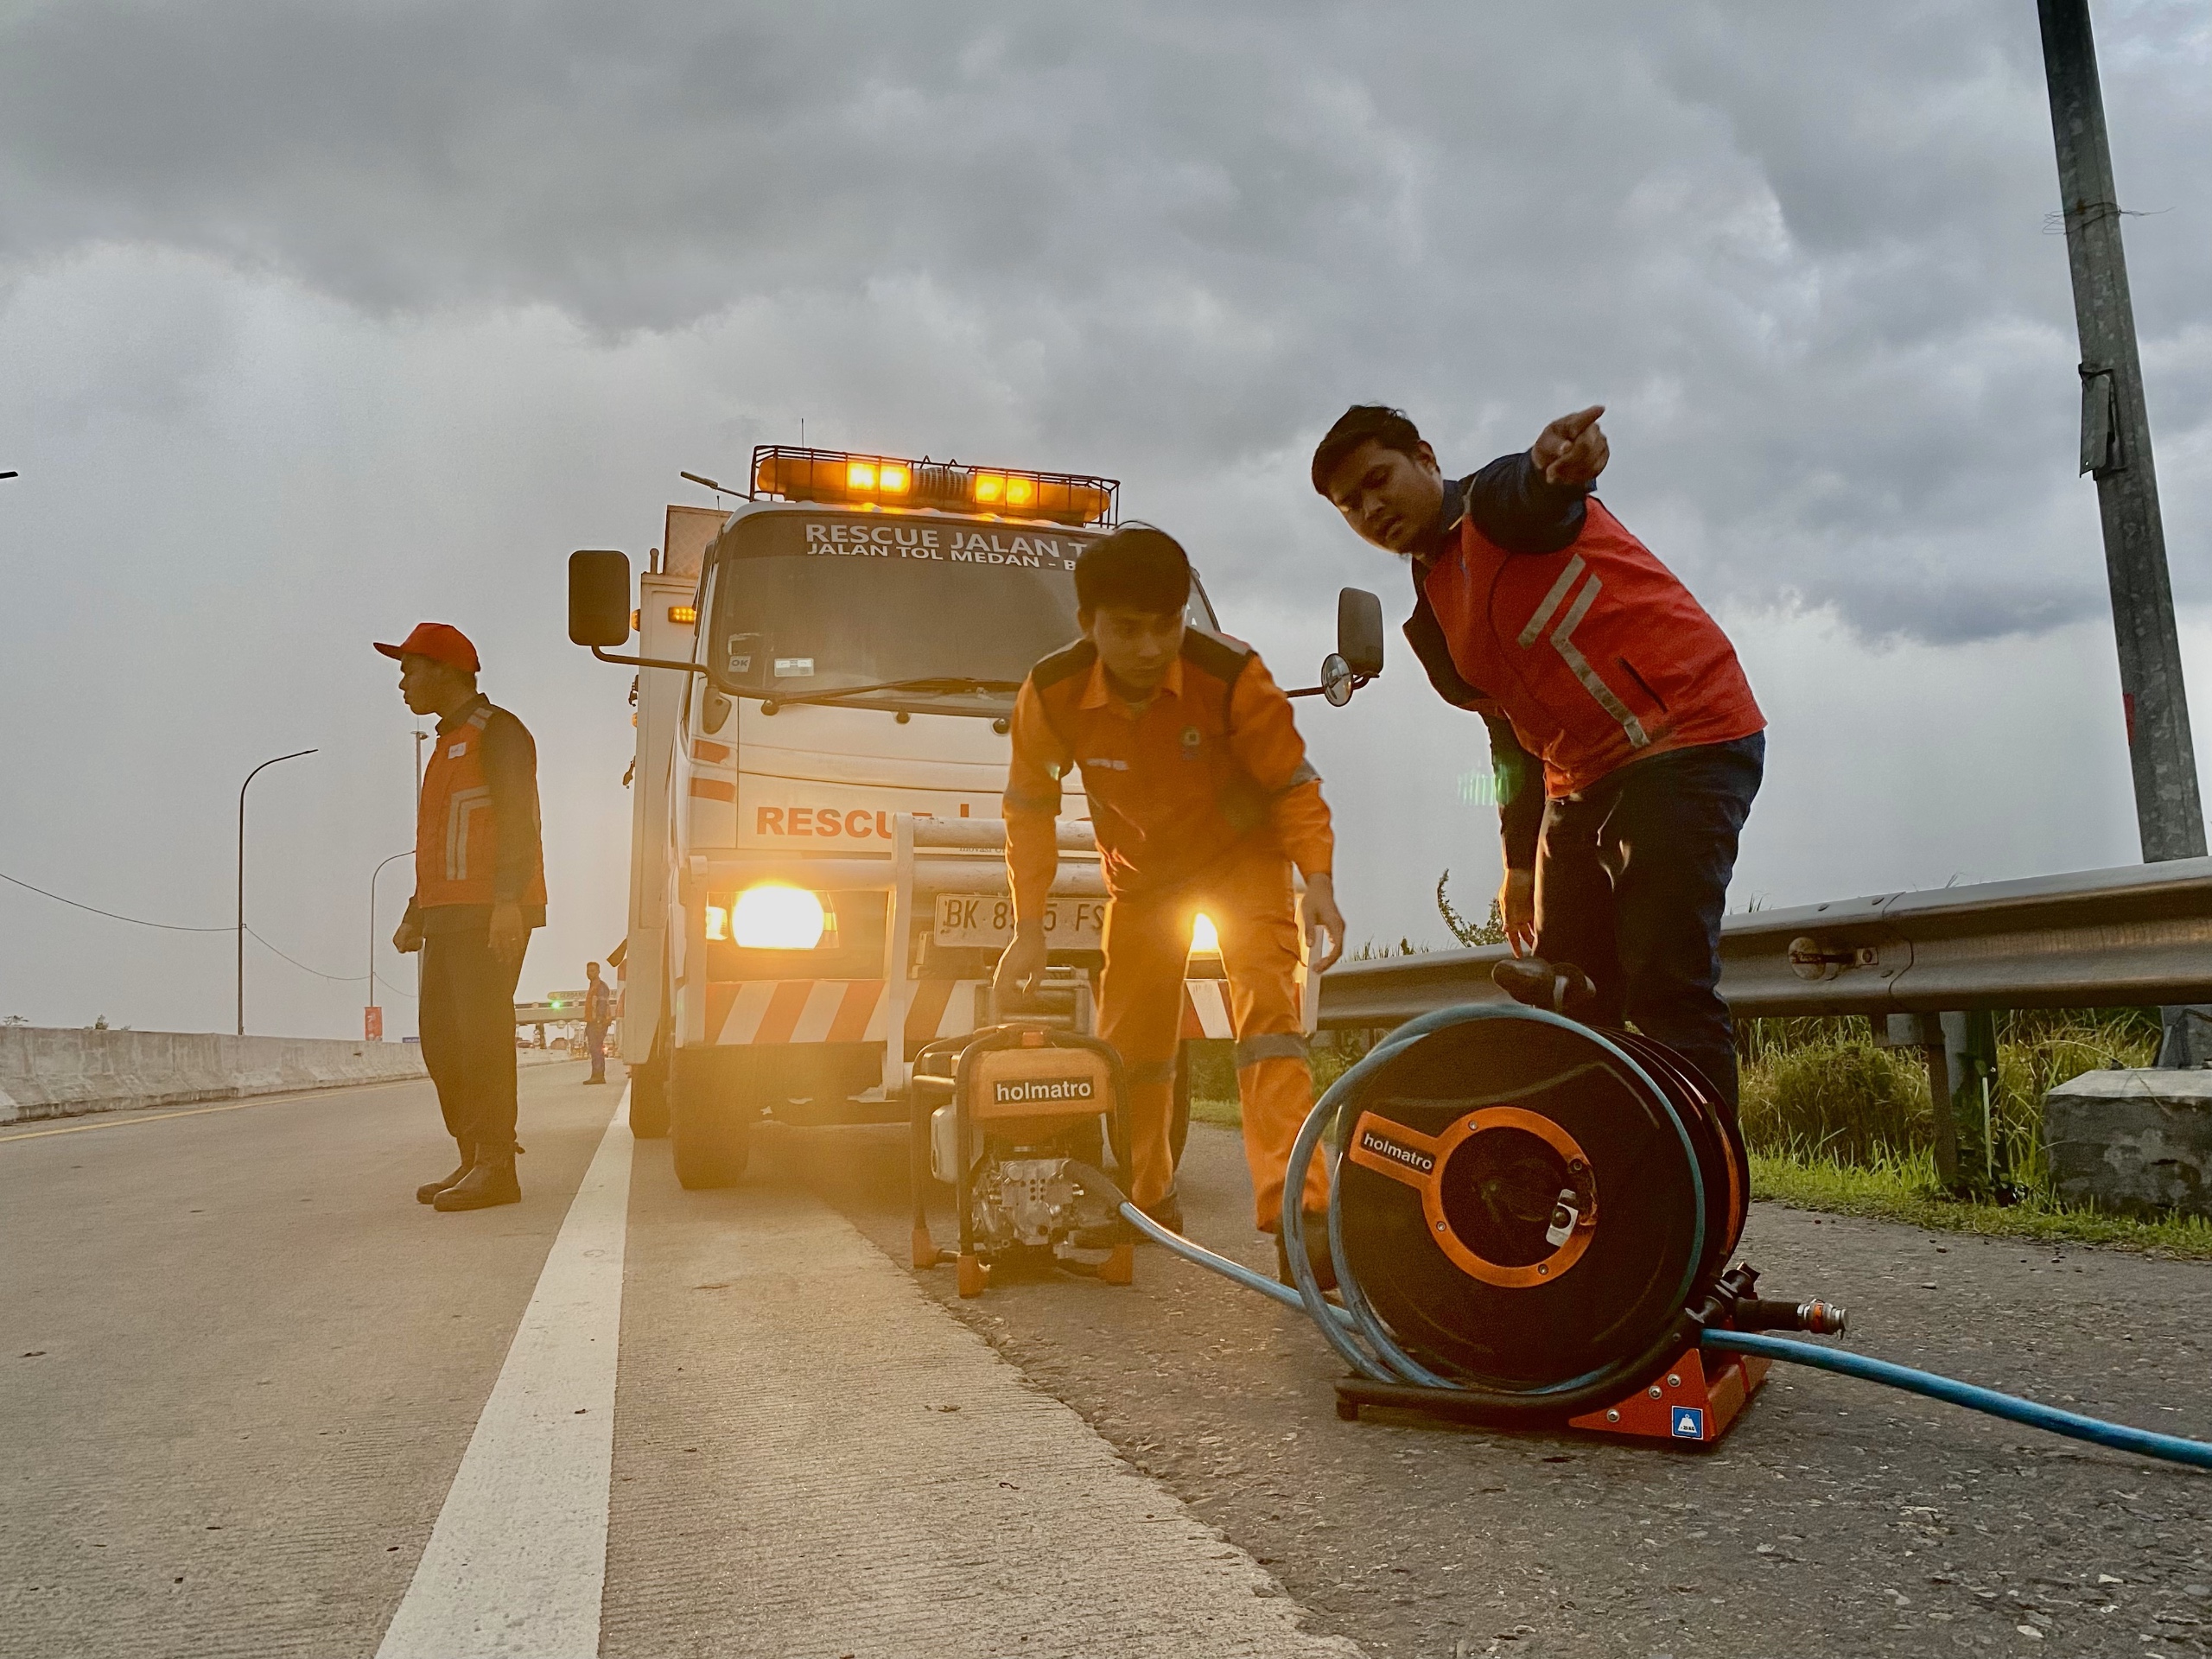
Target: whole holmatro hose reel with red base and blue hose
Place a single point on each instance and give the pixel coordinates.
(1532, 1227)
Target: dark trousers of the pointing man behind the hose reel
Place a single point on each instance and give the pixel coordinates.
(1631, 879)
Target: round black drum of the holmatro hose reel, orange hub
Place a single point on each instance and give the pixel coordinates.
(1532, 1204)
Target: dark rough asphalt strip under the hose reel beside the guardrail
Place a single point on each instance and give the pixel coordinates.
(1837, 1519)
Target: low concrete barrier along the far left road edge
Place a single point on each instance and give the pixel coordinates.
(63, 1074)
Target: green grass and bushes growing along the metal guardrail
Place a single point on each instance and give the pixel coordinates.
(1841, 1125)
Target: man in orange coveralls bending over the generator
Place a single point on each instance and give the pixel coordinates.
(1202, 800)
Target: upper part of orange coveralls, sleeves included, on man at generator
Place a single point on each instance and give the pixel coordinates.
(1213, 764)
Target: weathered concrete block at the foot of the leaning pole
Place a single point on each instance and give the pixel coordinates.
(2133, 1142)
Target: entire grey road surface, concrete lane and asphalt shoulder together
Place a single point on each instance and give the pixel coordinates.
(251, 1390)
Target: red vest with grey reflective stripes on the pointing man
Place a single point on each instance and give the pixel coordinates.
(1596, 654)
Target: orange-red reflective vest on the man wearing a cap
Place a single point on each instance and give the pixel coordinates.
(459, 835)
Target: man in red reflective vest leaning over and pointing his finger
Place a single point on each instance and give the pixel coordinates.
(1589, 658)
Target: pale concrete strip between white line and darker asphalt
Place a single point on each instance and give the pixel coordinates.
(815, 1459)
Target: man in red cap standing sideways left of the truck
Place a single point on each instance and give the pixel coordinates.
(481, 888)
